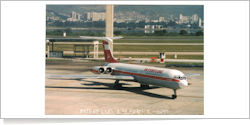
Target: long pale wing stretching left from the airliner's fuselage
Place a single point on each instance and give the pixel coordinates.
(114, 77)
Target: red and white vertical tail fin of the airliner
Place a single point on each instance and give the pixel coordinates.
(108, 53)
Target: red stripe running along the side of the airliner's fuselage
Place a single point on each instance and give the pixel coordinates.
(149, 76)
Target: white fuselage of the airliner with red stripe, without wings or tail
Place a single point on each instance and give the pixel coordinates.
(148, 75)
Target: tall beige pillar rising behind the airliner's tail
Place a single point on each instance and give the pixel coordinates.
(109, 23)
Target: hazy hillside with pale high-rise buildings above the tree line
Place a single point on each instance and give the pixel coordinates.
(126, 13)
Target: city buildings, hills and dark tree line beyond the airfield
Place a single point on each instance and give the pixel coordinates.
(140, 19)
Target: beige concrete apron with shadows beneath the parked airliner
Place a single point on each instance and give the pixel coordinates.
(97, 96)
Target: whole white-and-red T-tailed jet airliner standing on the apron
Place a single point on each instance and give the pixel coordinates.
(145, 75)
